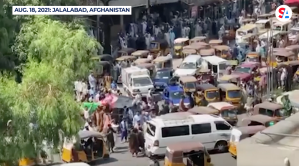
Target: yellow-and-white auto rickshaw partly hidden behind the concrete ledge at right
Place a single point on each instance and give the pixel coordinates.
(240, 133)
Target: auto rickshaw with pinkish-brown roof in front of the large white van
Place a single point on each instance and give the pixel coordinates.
(195, 152)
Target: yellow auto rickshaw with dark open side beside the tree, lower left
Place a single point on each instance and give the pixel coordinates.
(74, 151)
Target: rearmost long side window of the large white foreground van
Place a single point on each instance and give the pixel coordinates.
(175, 131)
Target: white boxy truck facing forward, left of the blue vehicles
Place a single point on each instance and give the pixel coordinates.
(136, 80)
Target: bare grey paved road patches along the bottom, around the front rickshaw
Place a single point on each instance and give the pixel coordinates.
(122, 157)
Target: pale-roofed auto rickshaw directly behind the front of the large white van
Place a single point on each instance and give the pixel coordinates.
(227, 111)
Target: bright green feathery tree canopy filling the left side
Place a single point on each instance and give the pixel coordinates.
(53, 54)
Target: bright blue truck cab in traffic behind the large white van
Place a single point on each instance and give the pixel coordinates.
(173, 95)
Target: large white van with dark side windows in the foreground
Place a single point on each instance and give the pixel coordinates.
(212, 131)
